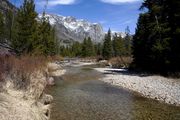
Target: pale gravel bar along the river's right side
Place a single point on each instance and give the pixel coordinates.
(156, 87)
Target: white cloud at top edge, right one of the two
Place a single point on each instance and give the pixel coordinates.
(119, 1)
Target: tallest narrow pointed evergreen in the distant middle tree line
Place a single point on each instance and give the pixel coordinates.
(107, 46)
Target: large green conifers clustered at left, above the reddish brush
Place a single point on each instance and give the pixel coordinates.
(25, 34)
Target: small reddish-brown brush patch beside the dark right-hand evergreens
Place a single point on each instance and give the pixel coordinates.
(119, 62)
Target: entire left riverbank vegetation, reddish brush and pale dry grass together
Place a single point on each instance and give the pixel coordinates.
(23, 81)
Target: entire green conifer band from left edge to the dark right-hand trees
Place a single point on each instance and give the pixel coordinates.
(28, 35)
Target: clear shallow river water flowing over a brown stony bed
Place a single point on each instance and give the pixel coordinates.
(79, 95)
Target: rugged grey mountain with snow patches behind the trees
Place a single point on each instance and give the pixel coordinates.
(71, 29)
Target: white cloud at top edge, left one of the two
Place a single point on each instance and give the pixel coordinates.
(58, 2)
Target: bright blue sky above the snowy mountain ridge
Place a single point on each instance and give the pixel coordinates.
(114, 14)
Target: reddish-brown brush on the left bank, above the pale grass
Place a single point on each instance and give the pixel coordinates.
(19, 69)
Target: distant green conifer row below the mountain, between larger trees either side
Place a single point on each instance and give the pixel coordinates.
(112, 46)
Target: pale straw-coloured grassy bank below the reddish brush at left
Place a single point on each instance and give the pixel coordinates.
(29, 104)
